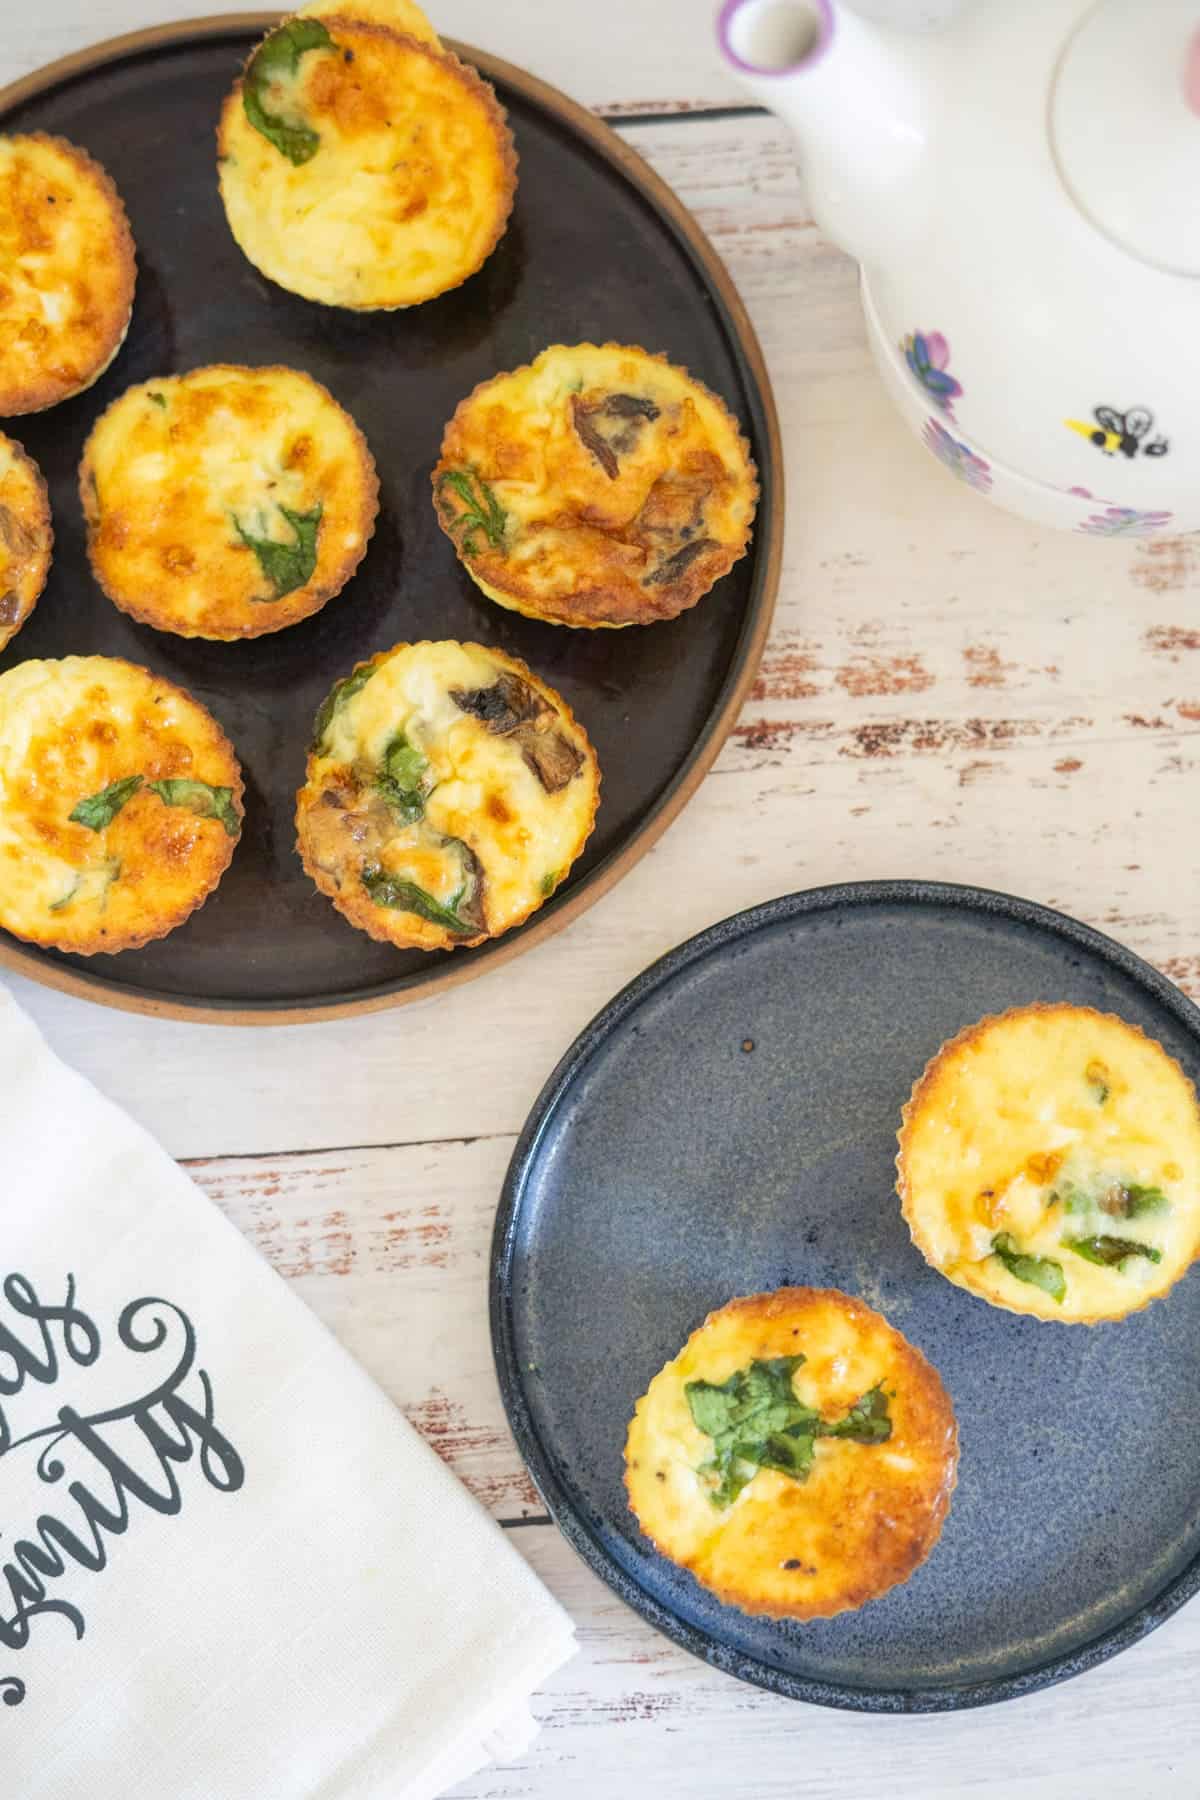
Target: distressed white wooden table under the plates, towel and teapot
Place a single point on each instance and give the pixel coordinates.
(947, 694)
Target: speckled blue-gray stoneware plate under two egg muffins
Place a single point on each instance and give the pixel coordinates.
(728, 1126)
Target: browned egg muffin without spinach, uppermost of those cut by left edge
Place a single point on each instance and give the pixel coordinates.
(67, 273)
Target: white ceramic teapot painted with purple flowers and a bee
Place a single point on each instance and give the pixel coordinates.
(1023, 192)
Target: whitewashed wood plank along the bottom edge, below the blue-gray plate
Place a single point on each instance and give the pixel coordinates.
(1129, 1731)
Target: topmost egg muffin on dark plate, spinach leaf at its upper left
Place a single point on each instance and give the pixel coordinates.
(363, 166)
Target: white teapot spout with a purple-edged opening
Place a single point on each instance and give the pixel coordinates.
(857, 98)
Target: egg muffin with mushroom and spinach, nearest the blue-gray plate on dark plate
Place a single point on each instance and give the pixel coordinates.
(449, 791)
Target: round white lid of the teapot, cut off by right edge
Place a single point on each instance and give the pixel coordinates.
(1125, 125)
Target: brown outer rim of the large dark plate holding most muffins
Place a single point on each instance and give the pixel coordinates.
(679, 220)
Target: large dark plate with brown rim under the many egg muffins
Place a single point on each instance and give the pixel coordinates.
(598, 247)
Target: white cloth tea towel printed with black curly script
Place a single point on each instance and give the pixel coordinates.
(229, 1569)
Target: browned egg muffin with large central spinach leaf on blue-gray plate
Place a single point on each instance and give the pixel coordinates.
(798, 1455)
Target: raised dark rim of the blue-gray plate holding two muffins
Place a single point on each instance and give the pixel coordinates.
(726, 933)
